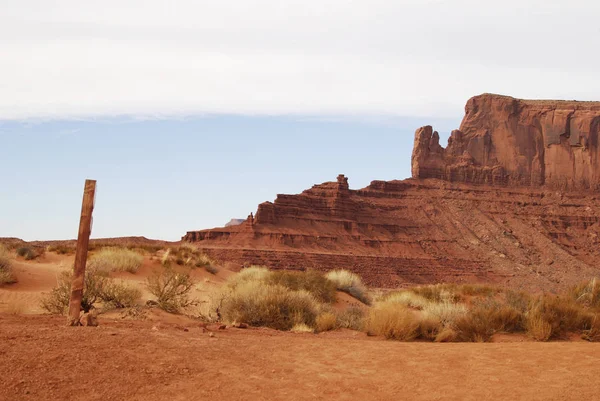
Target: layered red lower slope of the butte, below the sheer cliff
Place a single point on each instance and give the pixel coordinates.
(411, 232)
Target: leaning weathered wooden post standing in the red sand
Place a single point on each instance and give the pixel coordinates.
(83, 239)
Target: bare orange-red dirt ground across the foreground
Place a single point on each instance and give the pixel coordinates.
(42, 359)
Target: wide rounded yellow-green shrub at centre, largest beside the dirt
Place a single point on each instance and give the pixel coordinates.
(274, 306)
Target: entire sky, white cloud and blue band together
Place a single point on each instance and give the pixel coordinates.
(189, 113)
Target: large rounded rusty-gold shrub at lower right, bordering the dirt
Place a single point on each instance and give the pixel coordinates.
(561, 315)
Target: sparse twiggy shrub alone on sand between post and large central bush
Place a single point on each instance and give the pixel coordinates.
(171, 289)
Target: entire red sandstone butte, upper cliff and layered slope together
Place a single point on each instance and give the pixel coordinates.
(512, 200)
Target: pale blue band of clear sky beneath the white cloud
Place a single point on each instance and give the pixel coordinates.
(133, 161)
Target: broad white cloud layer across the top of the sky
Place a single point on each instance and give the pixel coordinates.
(66, 59)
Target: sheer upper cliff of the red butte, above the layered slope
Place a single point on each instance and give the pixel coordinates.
(507, 141)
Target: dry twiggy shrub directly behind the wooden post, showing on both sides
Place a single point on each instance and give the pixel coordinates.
(57, 301)
